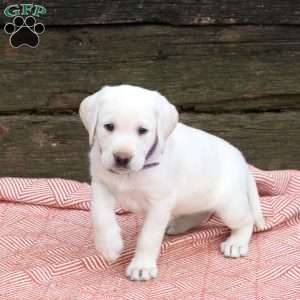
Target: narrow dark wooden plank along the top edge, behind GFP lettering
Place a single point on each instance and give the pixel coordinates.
(178, 12)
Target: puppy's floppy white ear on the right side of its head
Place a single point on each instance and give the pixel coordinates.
(167, 118)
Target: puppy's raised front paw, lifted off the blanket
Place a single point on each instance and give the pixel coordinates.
(109, 247)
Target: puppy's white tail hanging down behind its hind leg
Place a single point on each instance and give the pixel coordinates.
(255, 203)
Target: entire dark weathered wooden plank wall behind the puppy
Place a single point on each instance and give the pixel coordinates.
(231, 67)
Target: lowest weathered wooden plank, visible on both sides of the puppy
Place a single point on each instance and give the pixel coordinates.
(57, 146)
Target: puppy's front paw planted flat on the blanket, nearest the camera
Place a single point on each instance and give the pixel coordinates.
(141, 270)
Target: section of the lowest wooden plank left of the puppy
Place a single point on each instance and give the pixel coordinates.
(44, 146)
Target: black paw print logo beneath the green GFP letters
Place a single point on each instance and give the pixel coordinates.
(24, 32)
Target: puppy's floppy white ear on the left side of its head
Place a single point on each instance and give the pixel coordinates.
(88, 112)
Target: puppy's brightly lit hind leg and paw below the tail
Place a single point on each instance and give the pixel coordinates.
(236, 214)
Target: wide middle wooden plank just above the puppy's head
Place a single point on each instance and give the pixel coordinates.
(214, 68)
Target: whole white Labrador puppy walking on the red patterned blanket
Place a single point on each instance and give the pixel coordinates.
(174, 174)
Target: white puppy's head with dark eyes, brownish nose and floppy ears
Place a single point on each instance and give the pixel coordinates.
(126, 121)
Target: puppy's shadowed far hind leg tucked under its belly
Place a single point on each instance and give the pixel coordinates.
(185, 222)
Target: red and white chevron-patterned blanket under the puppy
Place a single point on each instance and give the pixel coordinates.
(47, 249)
